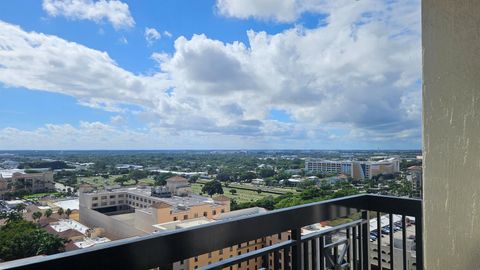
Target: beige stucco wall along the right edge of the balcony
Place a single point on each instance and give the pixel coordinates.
(451, 97)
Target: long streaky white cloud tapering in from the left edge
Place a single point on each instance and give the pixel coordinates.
(42, 62)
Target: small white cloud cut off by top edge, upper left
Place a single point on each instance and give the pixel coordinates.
(116, 12)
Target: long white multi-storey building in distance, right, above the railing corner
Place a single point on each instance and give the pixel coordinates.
(356, 169)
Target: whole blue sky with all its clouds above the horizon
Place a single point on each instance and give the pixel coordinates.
(211, 74)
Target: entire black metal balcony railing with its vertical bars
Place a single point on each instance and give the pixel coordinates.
(350, 245)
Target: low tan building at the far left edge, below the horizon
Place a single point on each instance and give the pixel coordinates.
(16, 180)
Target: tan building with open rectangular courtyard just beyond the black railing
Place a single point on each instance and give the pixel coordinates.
(127, 212)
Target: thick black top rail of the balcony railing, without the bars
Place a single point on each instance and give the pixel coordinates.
(162, 249)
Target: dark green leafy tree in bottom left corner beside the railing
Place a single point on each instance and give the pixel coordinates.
(21, 238)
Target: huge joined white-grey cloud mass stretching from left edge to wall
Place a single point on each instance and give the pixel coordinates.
(356, 77)
